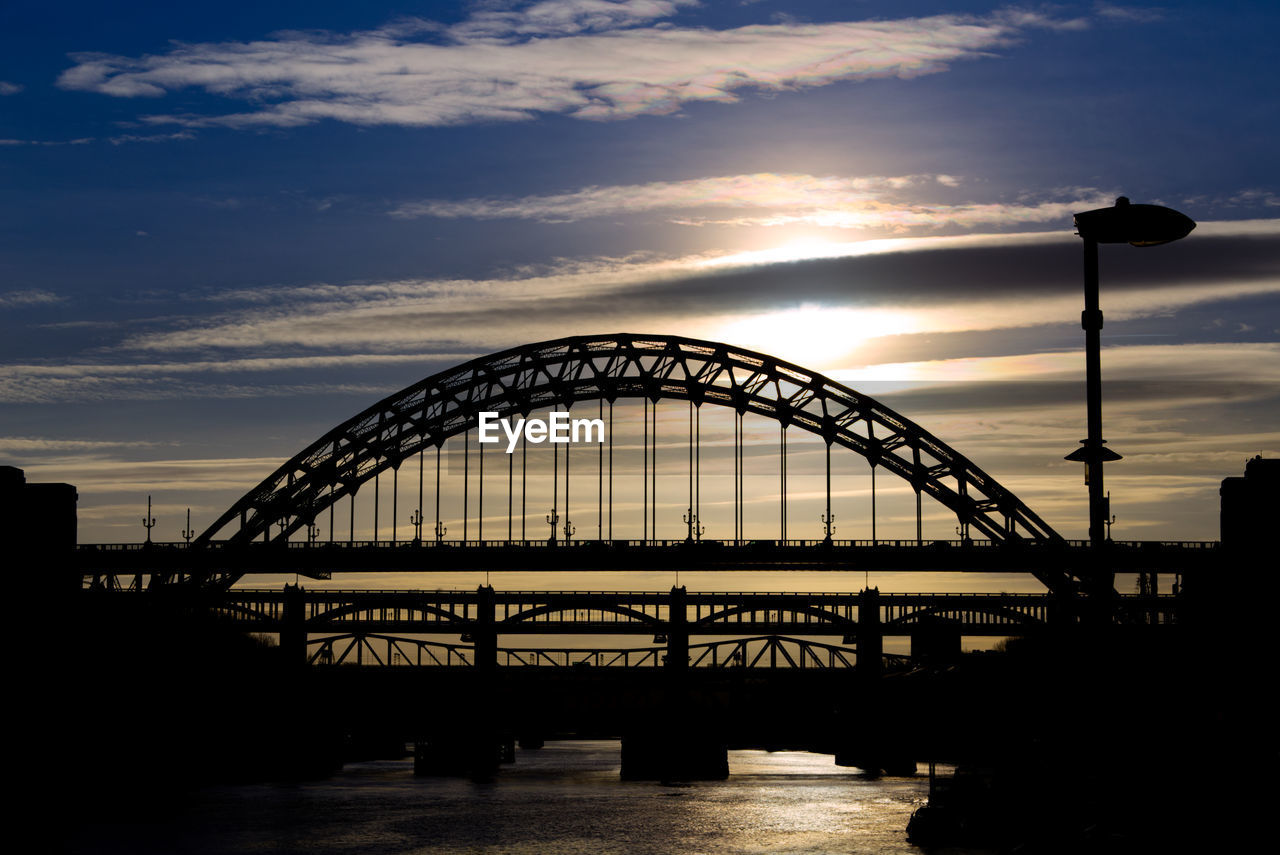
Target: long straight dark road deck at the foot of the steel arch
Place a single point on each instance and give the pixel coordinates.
(321, 559)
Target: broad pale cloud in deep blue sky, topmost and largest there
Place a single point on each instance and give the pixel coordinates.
(582, 58)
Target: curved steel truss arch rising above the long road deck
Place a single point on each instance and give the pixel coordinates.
(609, 368)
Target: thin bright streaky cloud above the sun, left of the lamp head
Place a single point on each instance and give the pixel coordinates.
(860, 203)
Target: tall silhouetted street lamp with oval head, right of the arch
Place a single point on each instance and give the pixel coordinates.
(1141, 226)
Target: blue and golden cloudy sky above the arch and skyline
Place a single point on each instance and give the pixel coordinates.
(226, 230)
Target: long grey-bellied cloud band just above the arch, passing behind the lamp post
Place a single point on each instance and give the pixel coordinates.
(944, 285)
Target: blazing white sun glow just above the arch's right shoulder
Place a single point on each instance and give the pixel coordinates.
(813, 336)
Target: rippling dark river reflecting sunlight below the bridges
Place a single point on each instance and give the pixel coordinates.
(565, 799)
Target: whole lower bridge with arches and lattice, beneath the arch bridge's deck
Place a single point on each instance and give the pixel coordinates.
(752, 630)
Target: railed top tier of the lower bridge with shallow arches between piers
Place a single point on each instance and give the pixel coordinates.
(422, 612)
